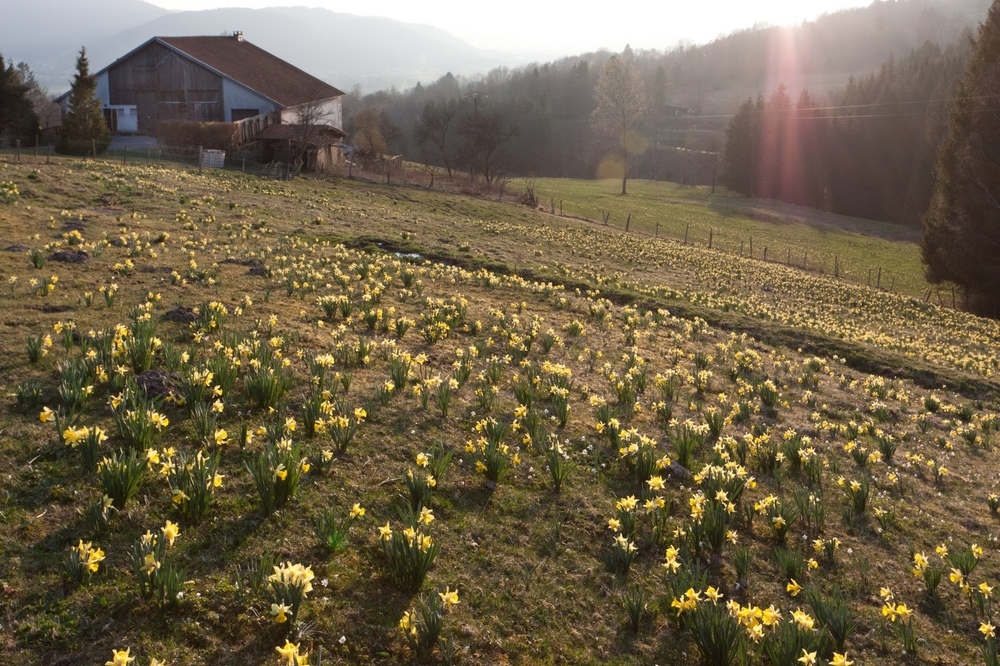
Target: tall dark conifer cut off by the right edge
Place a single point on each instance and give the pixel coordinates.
(962, 226)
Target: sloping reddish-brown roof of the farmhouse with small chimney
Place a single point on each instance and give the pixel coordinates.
(253, 67)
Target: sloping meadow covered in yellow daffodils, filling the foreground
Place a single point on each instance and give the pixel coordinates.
(246, 418)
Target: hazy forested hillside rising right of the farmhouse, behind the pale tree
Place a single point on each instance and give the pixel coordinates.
(838, 99)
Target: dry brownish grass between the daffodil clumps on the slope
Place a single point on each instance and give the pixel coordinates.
(527, 561)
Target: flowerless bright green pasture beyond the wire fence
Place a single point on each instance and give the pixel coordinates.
(821, 242)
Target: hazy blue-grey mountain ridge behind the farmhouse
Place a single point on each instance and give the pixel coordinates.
(342, 49)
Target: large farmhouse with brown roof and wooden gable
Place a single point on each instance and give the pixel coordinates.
(211, 79)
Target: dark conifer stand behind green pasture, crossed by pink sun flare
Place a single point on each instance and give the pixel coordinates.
(870, 151)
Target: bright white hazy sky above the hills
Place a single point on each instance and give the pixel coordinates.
(563, 28)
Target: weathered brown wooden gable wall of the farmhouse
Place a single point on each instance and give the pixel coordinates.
(166, 86)
